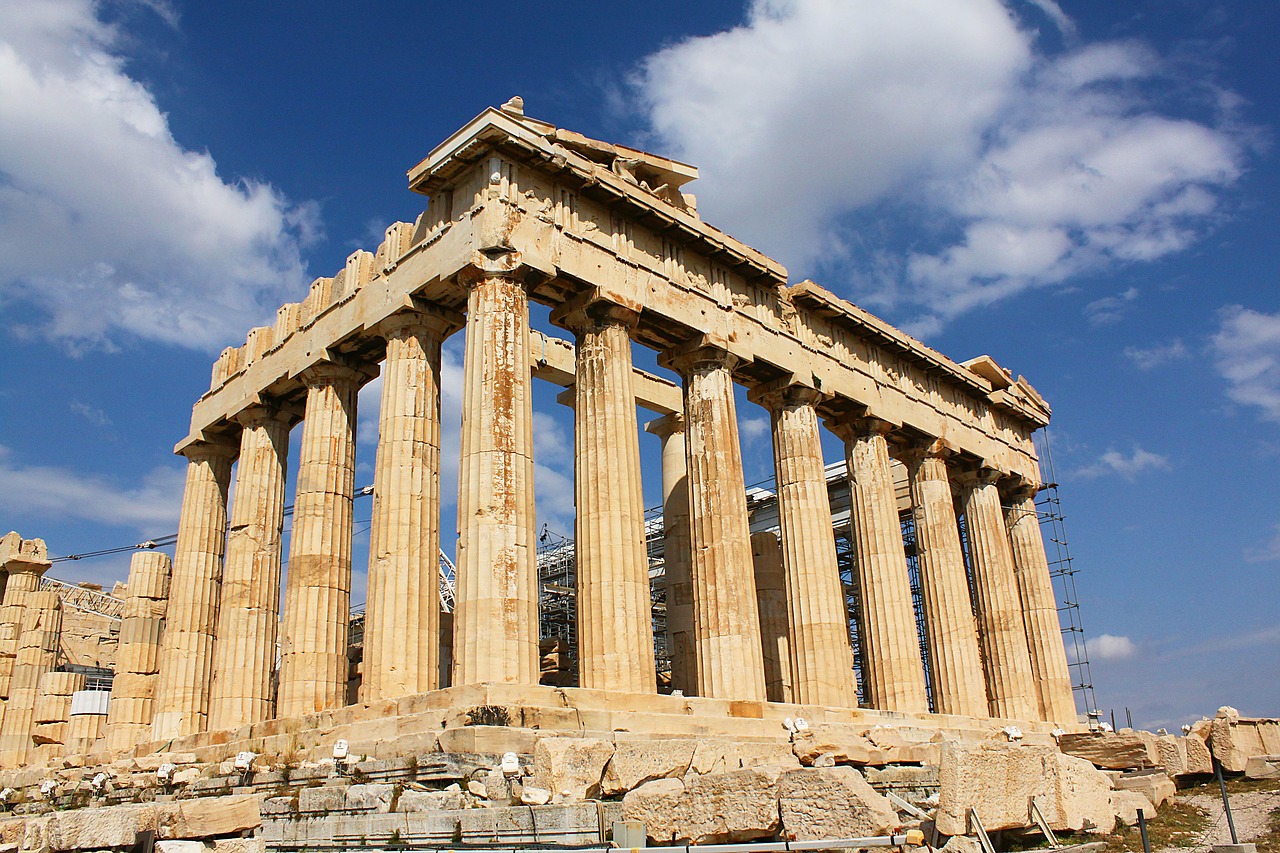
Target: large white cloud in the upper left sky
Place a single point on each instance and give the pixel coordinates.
(111, 227)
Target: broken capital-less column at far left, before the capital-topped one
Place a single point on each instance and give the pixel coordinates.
(38, 654)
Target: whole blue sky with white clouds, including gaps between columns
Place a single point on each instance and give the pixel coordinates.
(1086, 191)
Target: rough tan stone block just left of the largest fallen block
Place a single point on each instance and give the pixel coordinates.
(834, 802)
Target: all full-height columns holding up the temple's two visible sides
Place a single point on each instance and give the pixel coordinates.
(217, 660)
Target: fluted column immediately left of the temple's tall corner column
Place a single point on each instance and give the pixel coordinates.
(403, 617)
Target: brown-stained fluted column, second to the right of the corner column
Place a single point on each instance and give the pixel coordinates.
(726, 623)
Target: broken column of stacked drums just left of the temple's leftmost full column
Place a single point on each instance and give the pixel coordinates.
(138, 658)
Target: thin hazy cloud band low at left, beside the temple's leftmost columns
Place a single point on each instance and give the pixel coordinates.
(152, 507)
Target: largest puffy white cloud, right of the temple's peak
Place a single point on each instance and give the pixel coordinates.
(1008, 166)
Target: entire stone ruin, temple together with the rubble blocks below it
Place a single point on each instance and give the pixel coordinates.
(221, 688)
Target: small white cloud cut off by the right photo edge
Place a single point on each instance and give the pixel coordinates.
(1246, 352)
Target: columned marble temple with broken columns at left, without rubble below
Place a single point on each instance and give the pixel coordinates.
(227, 644)
